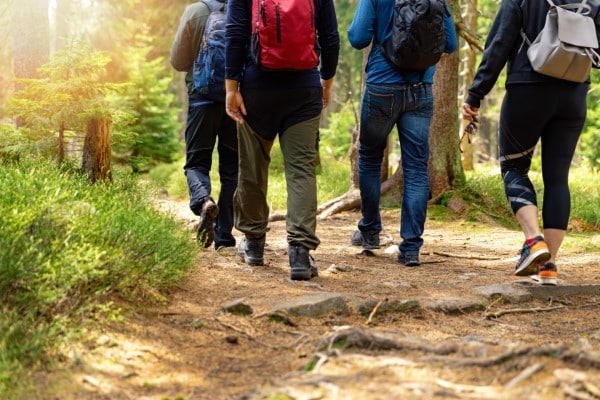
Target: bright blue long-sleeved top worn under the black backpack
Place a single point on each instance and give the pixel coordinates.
(372, 23)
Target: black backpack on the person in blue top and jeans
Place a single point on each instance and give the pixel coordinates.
(418, 38)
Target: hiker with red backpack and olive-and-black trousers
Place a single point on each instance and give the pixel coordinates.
(279, 91)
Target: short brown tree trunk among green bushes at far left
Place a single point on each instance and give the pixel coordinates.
(96, 149)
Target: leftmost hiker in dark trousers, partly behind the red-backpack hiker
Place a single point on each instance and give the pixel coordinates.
(206, 123)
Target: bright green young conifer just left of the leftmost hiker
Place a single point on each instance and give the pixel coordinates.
(155, 126)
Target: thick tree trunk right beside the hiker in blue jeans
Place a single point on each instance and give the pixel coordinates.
(445, 169)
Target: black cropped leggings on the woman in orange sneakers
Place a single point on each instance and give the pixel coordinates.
(555, 113)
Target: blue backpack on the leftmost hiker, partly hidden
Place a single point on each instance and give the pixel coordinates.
(209, 67)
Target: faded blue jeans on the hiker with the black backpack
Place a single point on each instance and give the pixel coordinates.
(409, 107)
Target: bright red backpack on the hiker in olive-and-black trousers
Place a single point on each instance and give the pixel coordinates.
(284, 34)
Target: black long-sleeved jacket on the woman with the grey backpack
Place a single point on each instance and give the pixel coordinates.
(506, 46)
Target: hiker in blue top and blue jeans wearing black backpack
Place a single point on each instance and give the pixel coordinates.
(400, 96)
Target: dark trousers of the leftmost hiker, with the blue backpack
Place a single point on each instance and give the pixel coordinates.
(205, 123)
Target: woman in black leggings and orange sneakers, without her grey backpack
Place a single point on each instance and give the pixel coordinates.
(535, 107)
